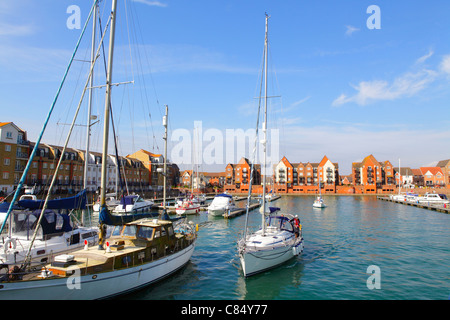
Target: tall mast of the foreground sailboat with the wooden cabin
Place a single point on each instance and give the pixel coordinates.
(106, 119)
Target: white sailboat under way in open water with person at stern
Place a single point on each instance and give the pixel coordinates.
(280, 237)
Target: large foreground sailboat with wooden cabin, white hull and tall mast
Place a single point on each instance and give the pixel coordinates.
(136, 254)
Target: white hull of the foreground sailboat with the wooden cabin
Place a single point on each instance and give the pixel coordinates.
(98, 286)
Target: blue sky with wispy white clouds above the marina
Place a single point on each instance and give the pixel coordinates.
(346, 78)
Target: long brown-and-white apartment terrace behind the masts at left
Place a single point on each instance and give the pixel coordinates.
(138, 172)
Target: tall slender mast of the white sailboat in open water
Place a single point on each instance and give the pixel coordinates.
(264, 127)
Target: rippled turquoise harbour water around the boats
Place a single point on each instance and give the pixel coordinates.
(409, 245)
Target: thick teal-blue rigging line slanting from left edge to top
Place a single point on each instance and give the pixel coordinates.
(33, 153)
